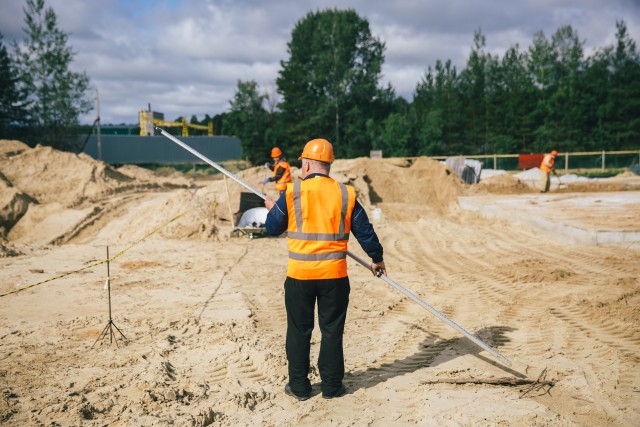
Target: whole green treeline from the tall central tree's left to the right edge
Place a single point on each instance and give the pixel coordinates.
(548, 96)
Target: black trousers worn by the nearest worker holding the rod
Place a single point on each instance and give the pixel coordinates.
(300, 298)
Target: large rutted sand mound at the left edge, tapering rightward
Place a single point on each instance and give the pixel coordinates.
(50, 196)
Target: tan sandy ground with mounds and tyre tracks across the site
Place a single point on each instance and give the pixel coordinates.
(204, 320)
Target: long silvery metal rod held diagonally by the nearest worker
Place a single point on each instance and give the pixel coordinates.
(379, 274)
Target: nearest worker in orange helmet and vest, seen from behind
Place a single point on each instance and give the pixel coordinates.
(318, 213)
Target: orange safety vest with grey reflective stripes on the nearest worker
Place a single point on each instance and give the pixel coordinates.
(319, 211)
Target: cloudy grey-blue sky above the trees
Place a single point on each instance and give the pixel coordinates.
(185, 57)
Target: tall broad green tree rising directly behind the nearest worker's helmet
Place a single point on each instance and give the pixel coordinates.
(329, 84)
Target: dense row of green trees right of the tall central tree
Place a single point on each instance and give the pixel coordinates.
(549, 96)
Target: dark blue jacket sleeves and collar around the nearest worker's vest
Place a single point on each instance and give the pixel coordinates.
(278, 222)
